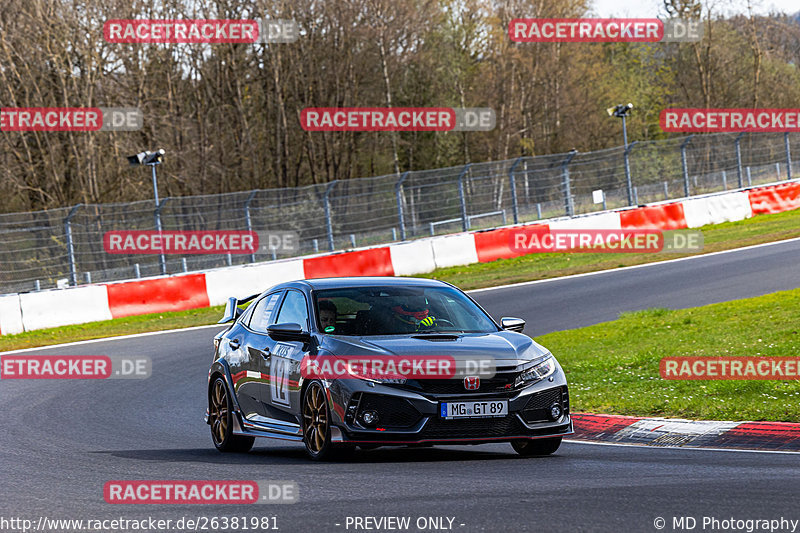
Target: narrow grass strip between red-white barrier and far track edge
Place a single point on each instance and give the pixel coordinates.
(757, 230)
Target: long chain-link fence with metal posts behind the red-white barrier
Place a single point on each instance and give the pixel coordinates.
(64, 246)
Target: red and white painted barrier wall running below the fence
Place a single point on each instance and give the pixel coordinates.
(172, 293)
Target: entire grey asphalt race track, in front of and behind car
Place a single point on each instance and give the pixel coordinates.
(60, 441)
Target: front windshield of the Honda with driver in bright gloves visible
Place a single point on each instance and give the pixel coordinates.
(389, 310)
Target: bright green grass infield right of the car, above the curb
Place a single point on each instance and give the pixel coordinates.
(614, 367)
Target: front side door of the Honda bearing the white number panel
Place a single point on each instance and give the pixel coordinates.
(284, 390)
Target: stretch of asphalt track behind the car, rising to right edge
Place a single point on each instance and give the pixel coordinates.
(578, 301)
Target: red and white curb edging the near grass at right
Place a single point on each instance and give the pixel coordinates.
(671, 432)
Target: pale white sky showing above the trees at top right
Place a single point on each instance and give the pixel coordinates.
(653, 8)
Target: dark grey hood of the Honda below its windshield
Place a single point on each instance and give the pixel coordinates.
(504, 346)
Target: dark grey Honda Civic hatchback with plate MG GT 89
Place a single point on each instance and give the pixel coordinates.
(259, 383)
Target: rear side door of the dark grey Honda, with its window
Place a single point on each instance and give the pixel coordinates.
(257, 347)
